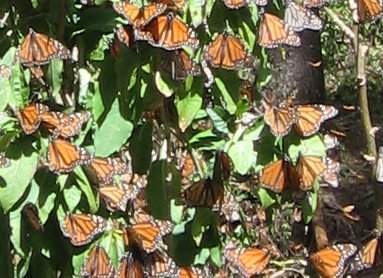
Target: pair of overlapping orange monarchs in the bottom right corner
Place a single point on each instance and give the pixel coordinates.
(337, 260)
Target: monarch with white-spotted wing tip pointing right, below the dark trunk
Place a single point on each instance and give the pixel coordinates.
(310, 117)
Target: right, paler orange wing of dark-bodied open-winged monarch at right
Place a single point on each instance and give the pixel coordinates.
(308, 169)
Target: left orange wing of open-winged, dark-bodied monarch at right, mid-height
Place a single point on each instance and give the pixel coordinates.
(275, 176)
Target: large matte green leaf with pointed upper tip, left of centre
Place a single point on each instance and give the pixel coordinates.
(113, 133)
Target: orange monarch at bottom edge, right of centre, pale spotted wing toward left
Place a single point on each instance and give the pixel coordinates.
(248, 261)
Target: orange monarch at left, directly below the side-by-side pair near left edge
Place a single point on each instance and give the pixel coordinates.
(63, 156)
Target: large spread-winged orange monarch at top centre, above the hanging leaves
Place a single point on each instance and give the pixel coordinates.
(168, 32)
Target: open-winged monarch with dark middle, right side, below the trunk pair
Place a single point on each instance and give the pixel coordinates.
(279, 174)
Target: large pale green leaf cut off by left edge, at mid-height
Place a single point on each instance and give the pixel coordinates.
(12, 185)
